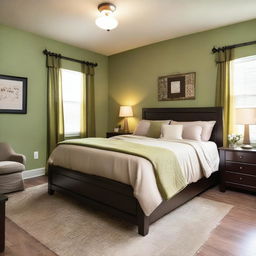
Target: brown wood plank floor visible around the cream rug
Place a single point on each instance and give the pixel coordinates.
(235, 236)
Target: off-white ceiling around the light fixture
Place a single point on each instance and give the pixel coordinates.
(141, 22)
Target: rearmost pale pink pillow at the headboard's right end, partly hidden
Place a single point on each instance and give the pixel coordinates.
(207, 127)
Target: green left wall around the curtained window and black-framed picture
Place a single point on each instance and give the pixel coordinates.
(21, 55)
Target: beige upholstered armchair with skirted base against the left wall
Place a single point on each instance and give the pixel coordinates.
(11, 167)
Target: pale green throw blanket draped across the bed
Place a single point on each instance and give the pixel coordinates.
(169, 177)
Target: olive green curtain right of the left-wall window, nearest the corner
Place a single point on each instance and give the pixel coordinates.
(88, 103)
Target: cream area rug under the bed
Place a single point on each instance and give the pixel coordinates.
(72, 229)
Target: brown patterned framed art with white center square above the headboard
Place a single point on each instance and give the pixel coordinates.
(177, 87)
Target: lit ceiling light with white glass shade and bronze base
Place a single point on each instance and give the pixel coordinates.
(106, 21)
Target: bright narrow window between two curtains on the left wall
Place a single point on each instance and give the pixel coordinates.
(72, 82)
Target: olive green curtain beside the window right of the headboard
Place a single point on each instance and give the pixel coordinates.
(224, 90)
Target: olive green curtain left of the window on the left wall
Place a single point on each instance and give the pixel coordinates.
(55, 118)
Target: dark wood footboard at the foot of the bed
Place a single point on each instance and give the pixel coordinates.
(104, 194)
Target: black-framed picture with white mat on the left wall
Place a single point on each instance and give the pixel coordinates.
(13, 94)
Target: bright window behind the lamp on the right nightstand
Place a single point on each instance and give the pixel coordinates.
(244, 78)
